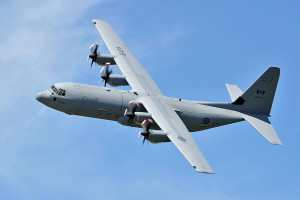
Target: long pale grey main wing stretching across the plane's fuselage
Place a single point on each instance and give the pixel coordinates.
(150, 96)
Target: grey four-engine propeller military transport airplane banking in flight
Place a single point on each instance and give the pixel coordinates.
(162, 118)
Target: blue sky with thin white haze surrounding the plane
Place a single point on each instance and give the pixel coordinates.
(191, 49)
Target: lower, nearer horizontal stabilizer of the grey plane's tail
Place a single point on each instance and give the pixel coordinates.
(262, 124)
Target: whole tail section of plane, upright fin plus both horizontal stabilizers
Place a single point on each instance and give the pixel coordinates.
(255, 103)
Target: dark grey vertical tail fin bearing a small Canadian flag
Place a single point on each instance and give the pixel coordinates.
(258, 98)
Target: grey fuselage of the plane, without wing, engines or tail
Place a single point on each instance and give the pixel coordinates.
(110, 104)
